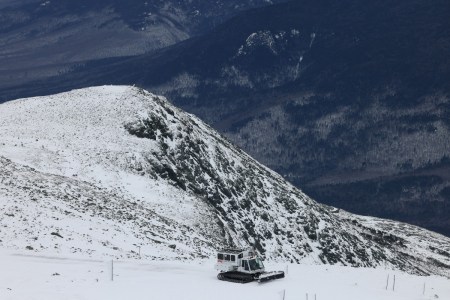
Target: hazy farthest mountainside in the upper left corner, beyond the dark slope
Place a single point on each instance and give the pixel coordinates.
(40, 39)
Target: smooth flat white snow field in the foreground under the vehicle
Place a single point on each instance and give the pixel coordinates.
(33, 277)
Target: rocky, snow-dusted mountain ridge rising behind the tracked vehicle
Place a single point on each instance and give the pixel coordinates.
(111, 171)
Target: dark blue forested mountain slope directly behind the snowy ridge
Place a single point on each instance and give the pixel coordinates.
(349, 100)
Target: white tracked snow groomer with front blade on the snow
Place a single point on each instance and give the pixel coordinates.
(237, 265)
